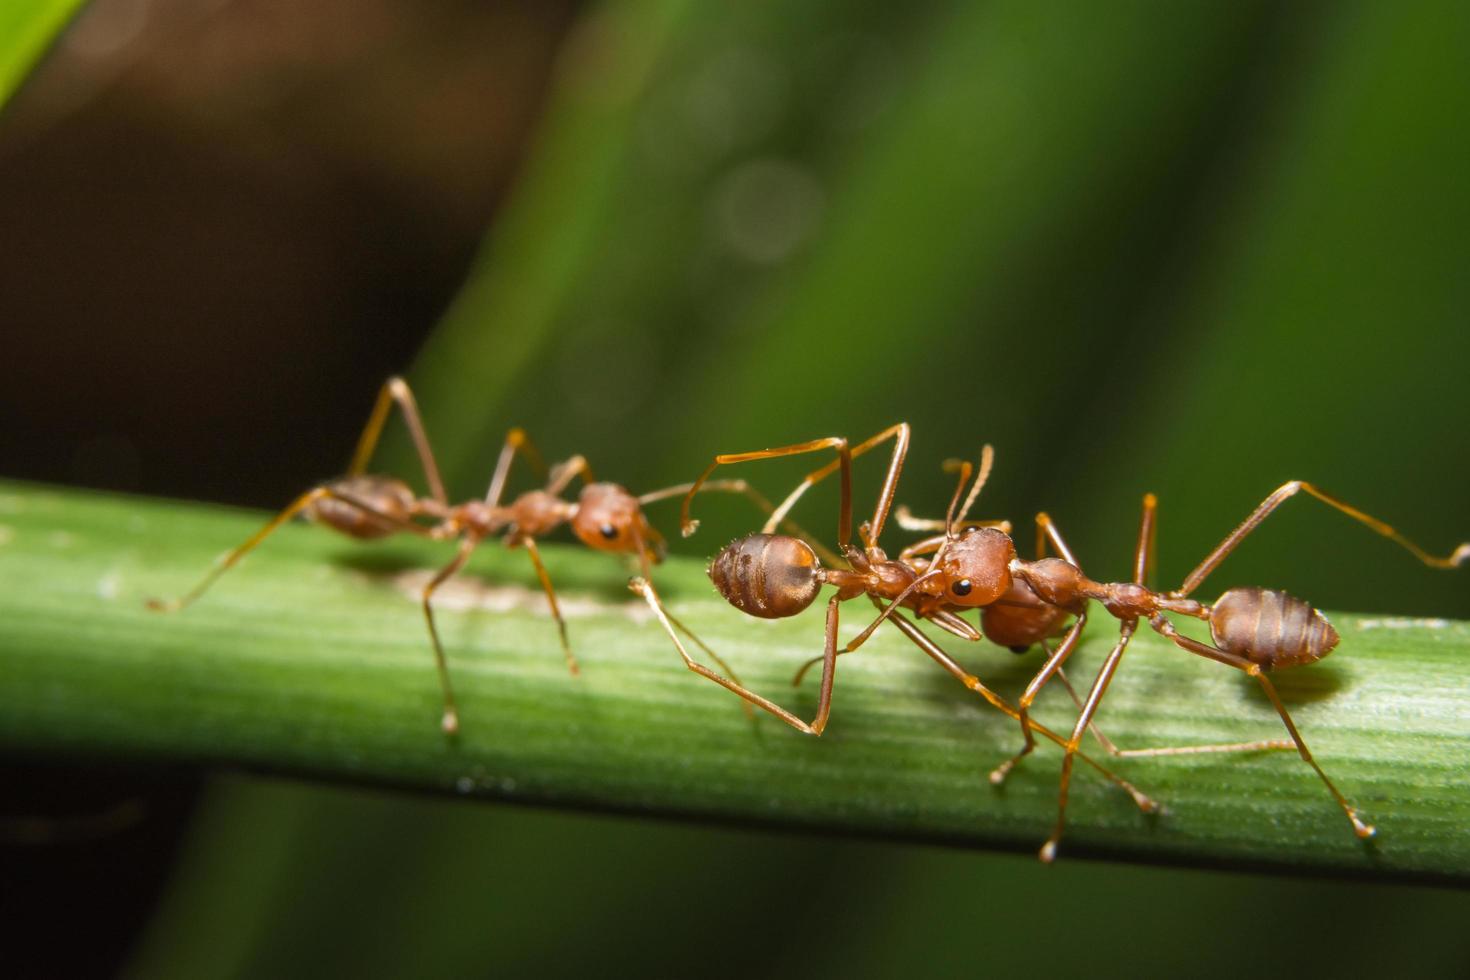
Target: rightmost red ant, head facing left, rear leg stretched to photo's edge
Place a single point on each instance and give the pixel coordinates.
(1253, 630)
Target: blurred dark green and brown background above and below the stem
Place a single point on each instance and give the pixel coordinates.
(1191, 249)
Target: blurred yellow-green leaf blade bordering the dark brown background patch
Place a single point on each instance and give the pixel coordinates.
(539, 249)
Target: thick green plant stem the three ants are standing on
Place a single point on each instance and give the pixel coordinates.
(312, 659)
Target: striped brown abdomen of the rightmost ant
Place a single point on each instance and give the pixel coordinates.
(1271, 628)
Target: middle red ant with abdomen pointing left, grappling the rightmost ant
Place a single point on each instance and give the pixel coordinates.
(774, 577)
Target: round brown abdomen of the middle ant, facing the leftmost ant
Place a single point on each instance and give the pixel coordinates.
(771, 577)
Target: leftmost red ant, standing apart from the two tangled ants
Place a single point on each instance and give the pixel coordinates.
(364, 506)
